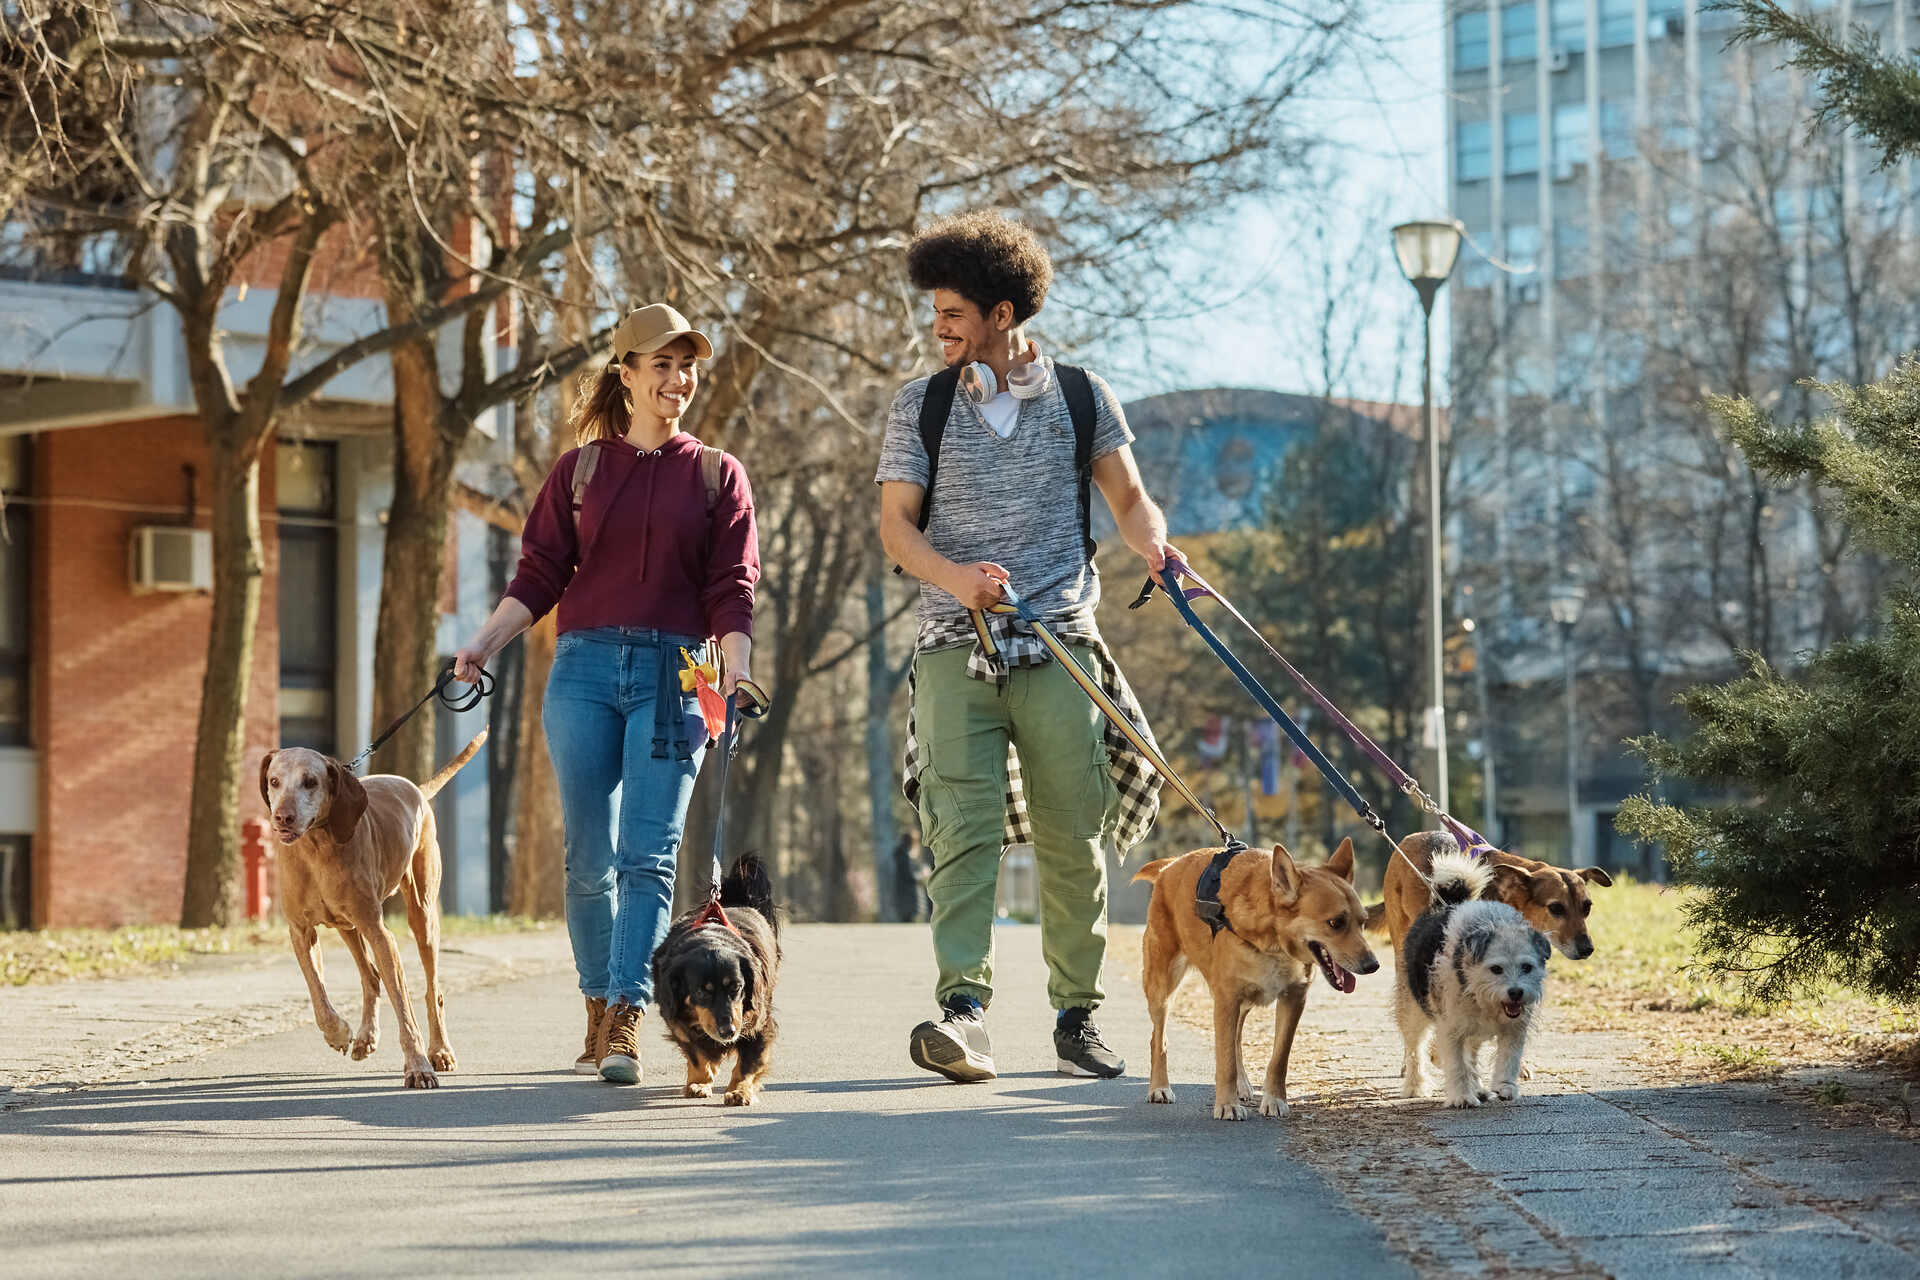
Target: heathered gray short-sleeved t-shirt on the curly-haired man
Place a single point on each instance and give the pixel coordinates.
(1011, 502)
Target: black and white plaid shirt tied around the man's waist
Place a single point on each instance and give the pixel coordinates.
(1134, 778)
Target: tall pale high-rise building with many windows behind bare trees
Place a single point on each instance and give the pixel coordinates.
(1648, 224)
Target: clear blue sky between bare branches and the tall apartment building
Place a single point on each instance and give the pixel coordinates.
(1385, 126)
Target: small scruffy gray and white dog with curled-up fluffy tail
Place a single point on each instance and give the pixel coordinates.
(1470, 972)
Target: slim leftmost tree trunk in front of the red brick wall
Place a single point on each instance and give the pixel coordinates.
(239, 565)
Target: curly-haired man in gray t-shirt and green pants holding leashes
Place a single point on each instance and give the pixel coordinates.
(1019, 442)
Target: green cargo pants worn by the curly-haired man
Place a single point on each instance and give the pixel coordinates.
(963, 726)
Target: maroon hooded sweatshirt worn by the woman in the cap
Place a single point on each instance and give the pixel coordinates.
(646, 554)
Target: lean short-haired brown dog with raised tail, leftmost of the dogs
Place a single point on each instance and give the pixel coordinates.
(347, 847)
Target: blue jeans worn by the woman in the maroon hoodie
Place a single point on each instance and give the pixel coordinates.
(627, 746)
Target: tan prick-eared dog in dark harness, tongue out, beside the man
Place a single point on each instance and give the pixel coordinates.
(1282, 924)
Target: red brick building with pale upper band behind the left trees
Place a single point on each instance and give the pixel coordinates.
(101, 673)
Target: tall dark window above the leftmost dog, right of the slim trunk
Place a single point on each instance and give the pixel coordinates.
(310, 546)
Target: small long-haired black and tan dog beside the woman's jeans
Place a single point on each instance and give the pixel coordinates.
(715, 984)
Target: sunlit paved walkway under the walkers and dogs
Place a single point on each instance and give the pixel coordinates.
(235, 1133)
